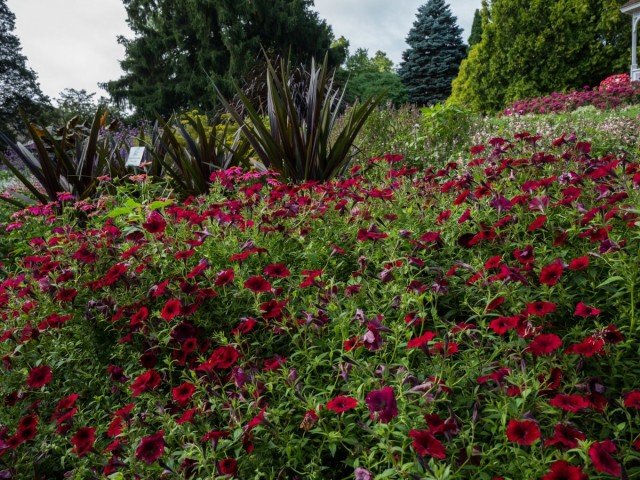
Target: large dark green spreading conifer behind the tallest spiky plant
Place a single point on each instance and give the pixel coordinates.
(181, 46)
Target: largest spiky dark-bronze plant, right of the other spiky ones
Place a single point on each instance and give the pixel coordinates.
(303, 140)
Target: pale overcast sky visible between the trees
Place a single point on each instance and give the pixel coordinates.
(72, 43)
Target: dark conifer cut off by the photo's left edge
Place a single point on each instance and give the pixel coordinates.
(19, 88)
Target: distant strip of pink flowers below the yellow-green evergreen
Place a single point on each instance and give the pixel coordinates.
(613, 92)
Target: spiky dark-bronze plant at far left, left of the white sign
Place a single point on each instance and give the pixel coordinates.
(66, 160)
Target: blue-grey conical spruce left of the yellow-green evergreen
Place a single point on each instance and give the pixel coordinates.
(434, 55)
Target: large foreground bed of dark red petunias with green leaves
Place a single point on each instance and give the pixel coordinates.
(476, 319)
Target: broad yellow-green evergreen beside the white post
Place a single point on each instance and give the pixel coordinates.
(531, 48)
